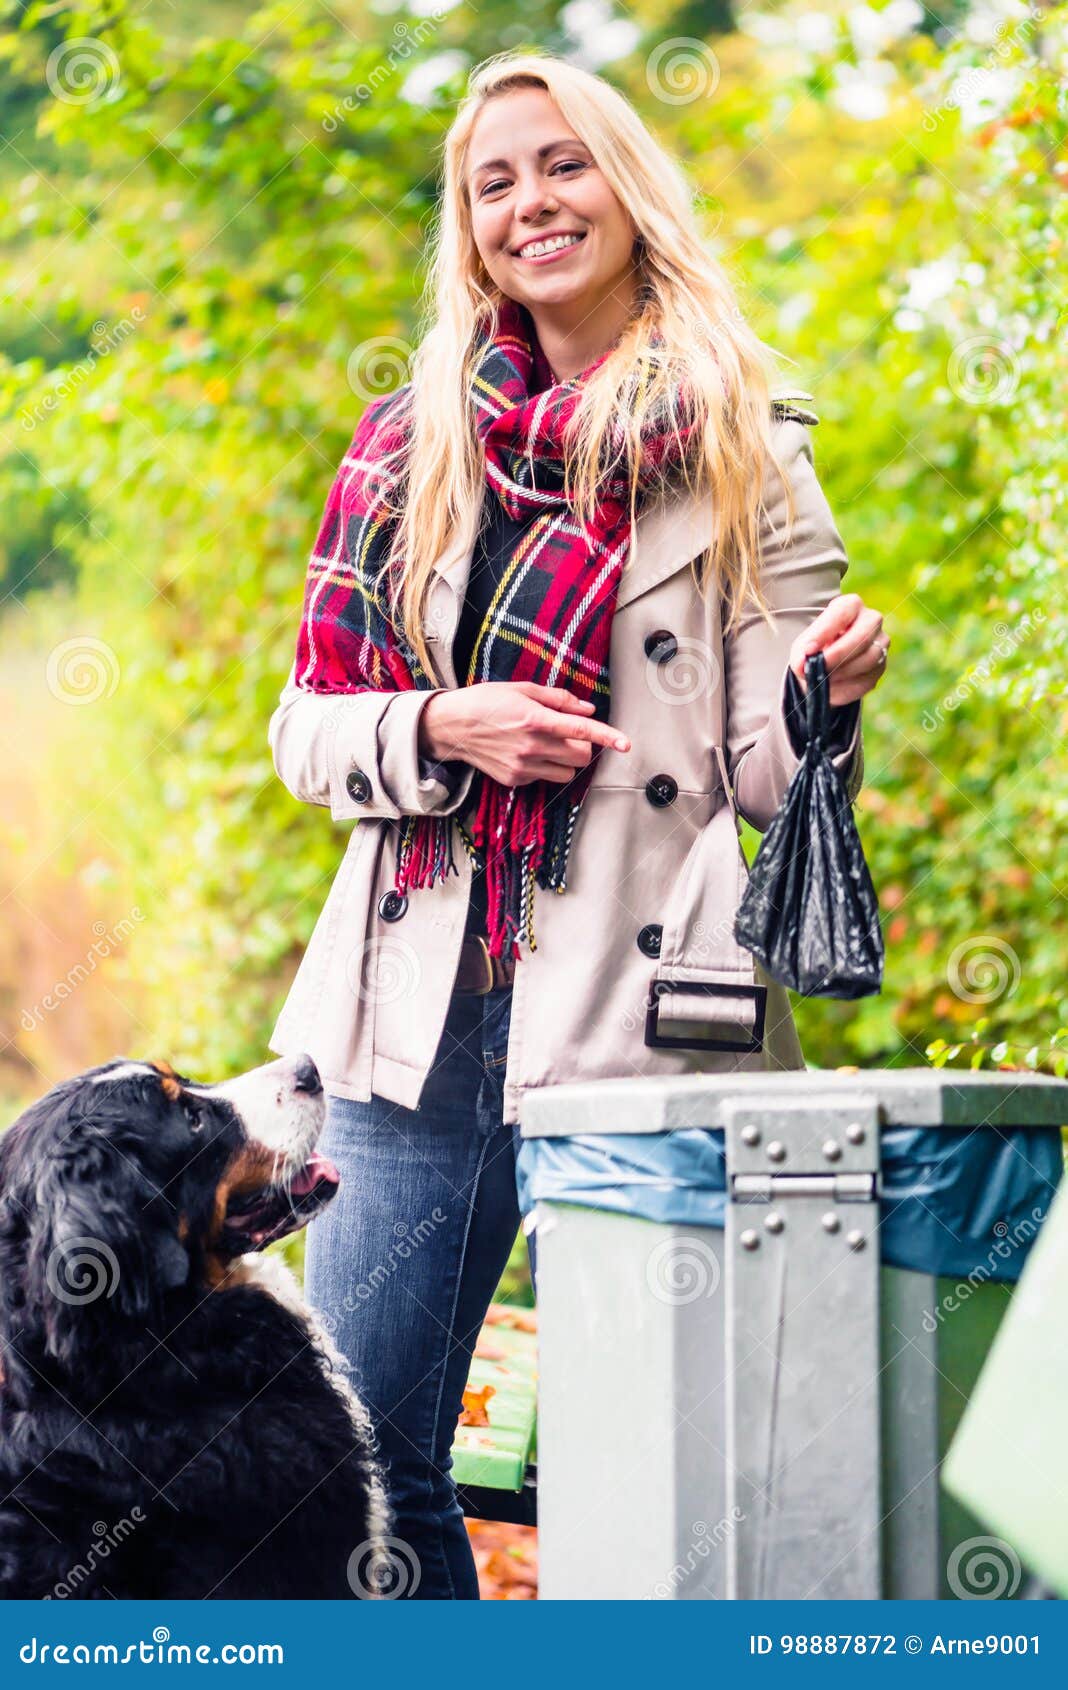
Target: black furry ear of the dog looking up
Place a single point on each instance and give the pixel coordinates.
(104, 1245)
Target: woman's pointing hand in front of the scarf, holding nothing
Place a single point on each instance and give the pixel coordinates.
(516, 731)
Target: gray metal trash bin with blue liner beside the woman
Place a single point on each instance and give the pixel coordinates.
(761, 1410)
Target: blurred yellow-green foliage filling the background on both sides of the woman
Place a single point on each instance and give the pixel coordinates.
(224, 258)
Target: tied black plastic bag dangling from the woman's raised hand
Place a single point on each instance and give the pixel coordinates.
(810, 912)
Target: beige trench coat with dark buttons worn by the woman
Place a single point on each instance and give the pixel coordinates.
(371, 996)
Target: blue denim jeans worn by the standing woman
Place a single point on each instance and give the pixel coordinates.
(405, 1265)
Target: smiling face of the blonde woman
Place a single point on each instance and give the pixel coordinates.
(531, 178)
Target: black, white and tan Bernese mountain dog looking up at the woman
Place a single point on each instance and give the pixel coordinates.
(173, 1419)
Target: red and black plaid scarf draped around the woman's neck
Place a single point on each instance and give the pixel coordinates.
(550, 621)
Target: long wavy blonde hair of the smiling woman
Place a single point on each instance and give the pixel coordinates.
(684, 297)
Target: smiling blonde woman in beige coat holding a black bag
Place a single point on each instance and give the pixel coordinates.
(552, 650)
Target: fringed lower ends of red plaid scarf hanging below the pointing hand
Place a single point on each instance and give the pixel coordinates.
(520, 836)
